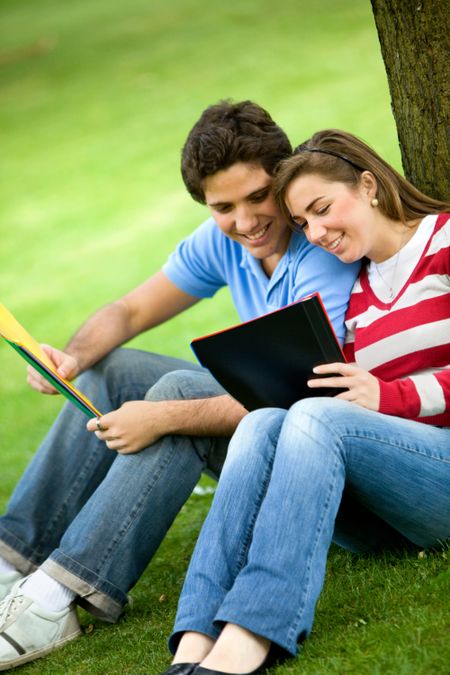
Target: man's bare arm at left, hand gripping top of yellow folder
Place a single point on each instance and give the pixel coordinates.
(147, 306)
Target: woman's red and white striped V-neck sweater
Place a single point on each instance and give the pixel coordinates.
(406, 343)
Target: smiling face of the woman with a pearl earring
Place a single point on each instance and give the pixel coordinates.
(334, 215)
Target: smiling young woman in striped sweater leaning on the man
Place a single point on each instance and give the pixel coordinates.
(368, 468)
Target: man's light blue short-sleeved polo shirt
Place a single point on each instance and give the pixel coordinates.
(208, 260)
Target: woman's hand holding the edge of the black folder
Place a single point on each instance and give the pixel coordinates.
(362, 387)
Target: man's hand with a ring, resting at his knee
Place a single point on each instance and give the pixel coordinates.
(129, 429)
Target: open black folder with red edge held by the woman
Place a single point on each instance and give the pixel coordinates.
(267, 361)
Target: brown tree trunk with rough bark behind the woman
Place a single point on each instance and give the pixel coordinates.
(415, 43)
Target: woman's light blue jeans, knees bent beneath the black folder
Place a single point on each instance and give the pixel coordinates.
(294, 481)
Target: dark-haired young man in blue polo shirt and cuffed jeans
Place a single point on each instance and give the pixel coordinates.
(96, 501)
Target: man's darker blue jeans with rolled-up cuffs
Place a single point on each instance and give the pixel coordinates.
(94, 518)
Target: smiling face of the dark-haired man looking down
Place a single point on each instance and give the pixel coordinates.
(241, 202)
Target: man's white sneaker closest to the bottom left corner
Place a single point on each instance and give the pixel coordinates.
(27, 631)
